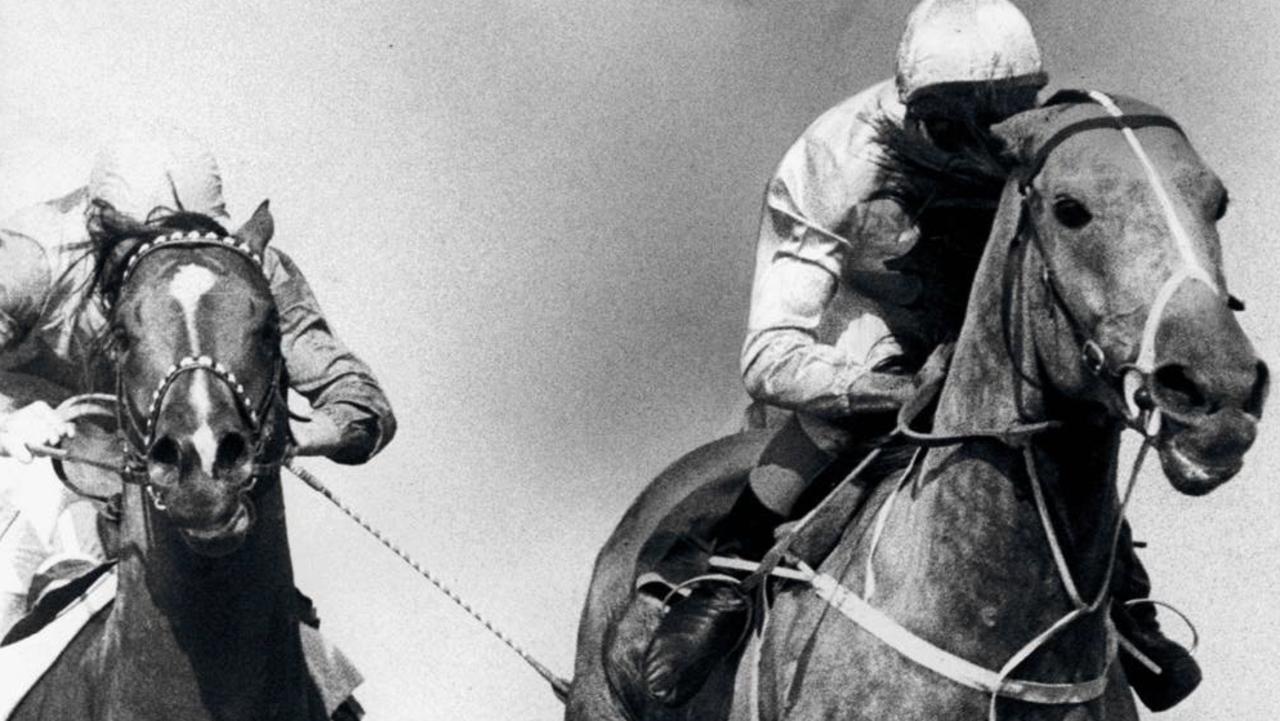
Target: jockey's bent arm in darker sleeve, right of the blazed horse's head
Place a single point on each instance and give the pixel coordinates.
(353, 418)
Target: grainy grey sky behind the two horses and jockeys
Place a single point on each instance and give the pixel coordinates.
(536, 221)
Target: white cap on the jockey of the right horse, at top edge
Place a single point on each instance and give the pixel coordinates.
(964, 42)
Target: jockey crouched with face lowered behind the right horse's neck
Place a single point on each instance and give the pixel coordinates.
(831, 336)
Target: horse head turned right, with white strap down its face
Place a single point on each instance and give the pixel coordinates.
(1118, 261)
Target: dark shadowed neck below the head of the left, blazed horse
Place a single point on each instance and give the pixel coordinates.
(204, 637)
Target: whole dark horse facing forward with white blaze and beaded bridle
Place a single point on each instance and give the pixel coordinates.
(205, 619)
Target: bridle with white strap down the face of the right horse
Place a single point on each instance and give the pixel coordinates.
(1131, 381)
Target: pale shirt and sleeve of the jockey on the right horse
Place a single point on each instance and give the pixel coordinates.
(813, 335)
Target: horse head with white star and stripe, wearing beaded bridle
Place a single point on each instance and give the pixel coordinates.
(195, 339)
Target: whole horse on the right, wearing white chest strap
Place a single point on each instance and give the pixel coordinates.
(1099, 304)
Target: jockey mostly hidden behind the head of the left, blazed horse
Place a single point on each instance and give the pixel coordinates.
(52, 323)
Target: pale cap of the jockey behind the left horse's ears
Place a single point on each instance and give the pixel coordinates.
(140, 172)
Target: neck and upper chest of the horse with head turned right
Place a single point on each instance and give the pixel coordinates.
(980, 564)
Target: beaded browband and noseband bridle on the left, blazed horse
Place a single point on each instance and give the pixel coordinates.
(138, 431)
